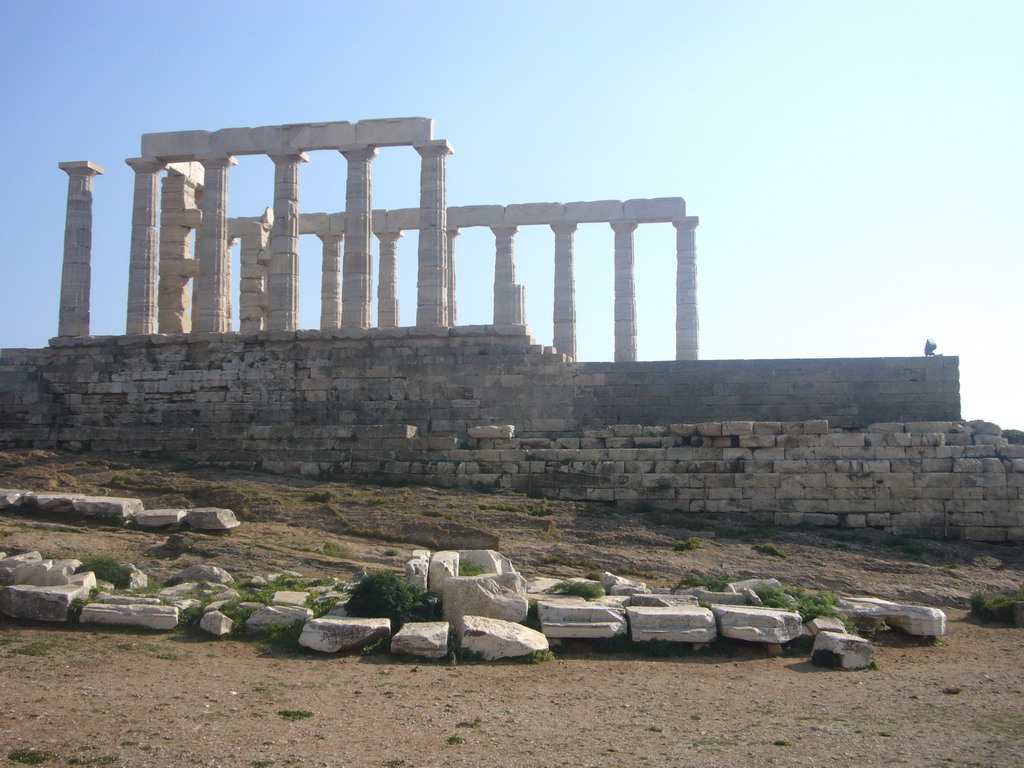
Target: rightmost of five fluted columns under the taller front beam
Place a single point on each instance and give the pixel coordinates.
(432, 282)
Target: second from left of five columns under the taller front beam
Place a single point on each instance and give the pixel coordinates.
(212, 287)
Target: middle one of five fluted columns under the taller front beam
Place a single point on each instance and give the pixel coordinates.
(283, 276)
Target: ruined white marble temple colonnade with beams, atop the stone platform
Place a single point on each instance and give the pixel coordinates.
(193, 195)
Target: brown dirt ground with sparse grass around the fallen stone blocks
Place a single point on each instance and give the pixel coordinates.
(126, 699)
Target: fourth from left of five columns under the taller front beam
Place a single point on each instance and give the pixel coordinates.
(357, 285)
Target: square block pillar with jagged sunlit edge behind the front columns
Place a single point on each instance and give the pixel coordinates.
(179, 219)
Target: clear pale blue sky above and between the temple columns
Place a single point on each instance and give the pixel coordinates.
(858, 167)
